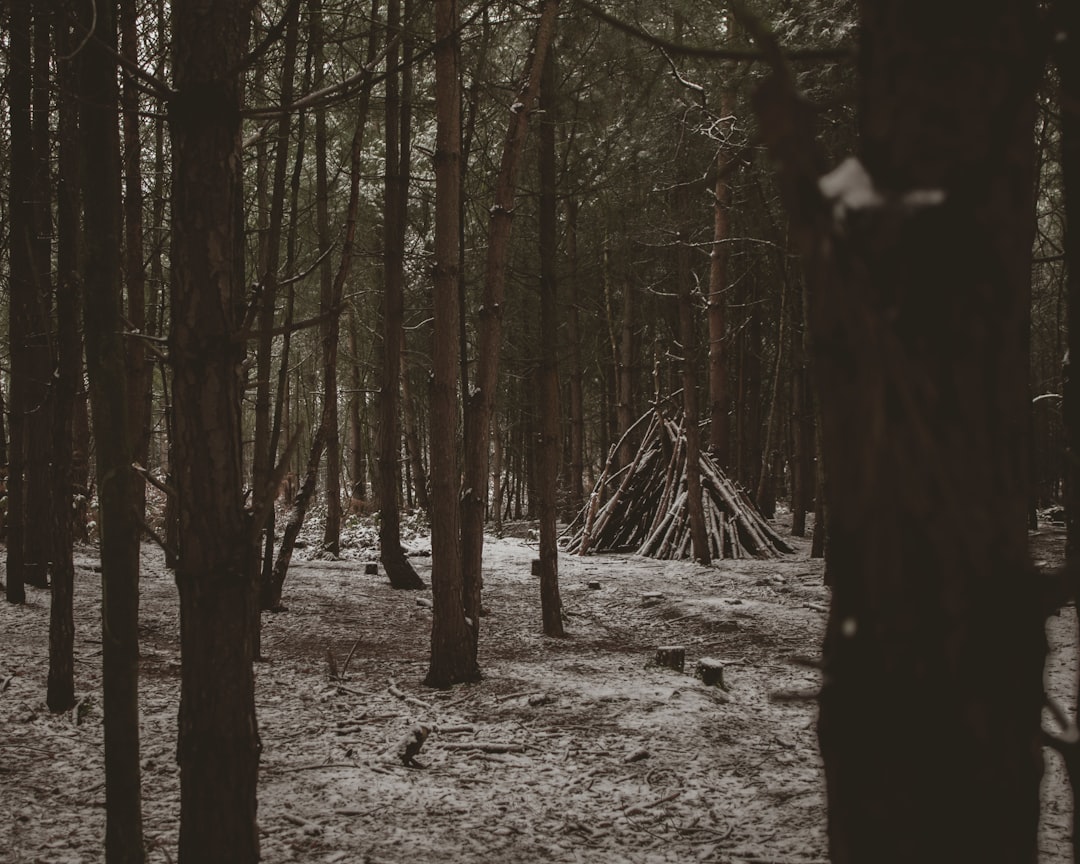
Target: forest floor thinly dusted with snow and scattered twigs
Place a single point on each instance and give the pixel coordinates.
(577, 750)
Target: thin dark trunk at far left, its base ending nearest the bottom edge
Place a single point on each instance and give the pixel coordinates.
(61, 687)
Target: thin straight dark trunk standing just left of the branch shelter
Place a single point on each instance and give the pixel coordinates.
(551, 604)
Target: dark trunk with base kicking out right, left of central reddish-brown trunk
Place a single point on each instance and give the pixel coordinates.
(398, 568)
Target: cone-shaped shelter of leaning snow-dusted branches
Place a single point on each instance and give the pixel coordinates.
(643, 506)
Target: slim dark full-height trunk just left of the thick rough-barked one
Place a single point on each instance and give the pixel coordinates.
(106, 366)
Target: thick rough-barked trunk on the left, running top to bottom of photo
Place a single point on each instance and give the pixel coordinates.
(219, 748)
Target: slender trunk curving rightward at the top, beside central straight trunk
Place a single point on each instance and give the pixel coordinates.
(481, 403)
